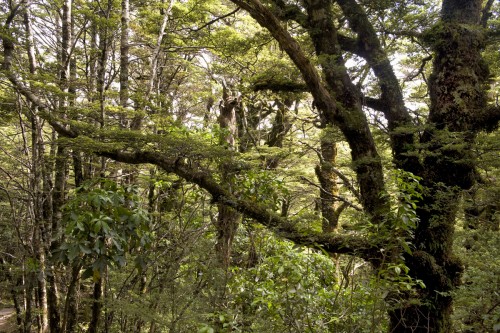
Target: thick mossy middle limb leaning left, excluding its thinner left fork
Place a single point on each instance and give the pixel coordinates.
(350, 119)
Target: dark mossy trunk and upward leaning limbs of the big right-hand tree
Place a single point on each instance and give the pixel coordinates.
(458, 111)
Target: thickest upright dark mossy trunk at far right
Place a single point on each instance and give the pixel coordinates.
(457, 102)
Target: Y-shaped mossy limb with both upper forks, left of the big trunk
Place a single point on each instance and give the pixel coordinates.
(347, 114)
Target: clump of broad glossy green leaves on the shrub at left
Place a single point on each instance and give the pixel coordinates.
(103, 223)
